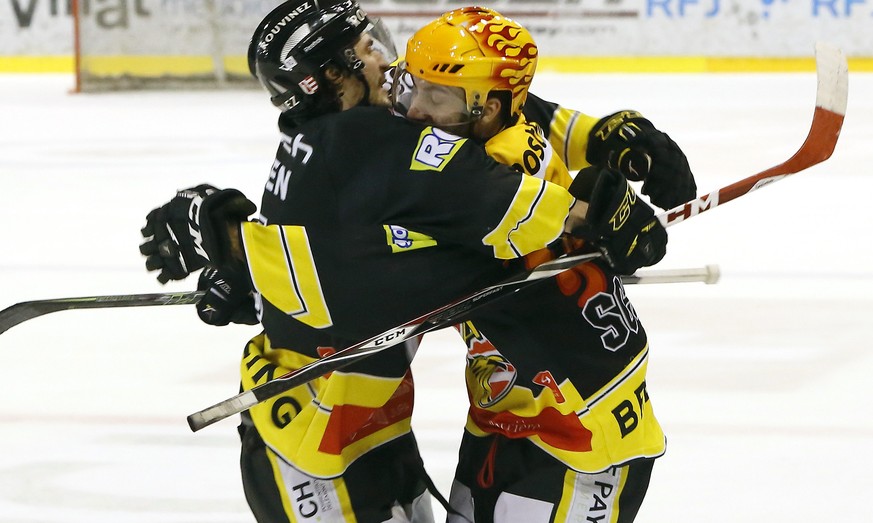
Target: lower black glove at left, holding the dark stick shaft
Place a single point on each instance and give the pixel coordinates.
(228, 297)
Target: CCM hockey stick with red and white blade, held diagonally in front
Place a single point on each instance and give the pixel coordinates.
(831, 99)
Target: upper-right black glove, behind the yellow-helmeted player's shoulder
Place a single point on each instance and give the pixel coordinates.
(628, 142)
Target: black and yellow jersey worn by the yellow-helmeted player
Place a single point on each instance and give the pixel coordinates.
(563, 363)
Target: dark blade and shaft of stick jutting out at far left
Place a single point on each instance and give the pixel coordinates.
(28, 310)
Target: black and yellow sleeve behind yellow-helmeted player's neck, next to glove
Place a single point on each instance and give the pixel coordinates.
(566, 129)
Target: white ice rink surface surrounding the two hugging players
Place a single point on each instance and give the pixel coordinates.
(761, 381)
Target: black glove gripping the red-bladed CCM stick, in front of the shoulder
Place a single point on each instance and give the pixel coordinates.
(620, 224)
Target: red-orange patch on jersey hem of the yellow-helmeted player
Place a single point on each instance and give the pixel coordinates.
(561, 431)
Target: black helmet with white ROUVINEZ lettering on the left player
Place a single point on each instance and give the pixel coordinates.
(293, 44)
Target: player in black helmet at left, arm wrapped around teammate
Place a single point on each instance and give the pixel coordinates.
(281, 474)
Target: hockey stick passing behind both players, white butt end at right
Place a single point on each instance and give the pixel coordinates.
(28, 310)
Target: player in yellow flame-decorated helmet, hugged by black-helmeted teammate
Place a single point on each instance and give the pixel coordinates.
(560, 425)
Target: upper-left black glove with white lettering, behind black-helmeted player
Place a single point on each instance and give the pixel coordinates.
(184, 234)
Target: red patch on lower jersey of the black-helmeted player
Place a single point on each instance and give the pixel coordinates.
(351, 423)
